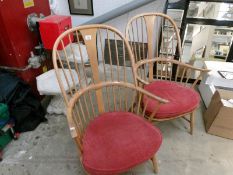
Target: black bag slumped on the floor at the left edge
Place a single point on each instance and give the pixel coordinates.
(24, 106)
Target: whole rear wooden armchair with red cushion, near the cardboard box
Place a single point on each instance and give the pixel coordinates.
(157, 70)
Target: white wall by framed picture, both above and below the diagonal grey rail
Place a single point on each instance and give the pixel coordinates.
(61, 7)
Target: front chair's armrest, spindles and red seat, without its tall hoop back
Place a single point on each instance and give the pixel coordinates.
(112, 134)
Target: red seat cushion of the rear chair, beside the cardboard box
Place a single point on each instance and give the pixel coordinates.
(181, 99)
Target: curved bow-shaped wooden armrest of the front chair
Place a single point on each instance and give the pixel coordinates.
(138, 94)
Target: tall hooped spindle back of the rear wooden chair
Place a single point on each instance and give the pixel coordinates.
(153, 35)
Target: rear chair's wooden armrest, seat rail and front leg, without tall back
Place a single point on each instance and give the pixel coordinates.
(183, 69)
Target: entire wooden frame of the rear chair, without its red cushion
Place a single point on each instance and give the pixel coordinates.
(164, 65)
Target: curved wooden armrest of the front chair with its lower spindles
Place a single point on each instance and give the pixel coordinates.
(134, 106)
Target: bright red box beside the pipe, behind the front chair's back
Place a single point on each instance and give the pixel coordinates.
(51, 27)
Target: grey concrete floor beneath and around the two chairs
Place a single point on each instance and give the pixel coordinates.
(49, 150)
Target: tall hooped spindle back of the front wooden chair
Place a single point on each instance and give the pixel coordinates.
(90, 31)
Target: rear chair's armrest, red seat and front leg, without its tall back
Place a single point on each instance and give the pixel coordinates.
(181, 82)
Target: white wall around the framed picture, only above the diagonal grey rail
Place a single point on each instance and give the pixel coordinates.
(61, 7)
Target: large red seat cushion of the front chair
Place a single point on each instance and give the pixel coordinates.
(116, 141)
